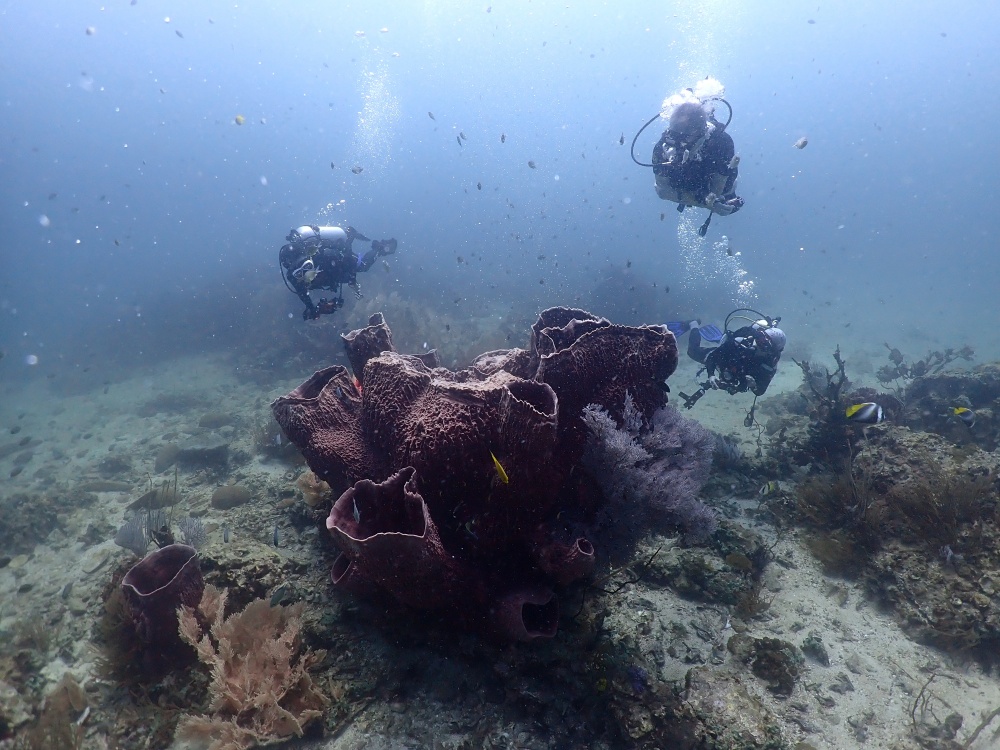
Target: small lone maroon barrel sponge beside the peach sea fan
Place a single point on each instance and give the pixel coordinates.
(156, 586)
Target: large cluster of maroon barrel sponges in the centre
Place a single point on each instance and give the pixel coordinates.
(462, 498)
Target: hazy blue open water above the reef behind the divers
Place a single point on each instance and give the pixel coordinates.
(139, 218)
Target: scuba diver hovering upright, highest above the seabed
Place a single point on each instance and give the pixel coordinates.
(695, 162)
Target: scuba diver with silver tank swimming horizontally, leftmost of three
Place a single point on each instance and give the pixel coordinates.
(322, 258)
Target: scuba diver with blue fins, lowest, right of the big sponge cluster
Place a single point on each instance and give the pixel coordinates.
(745, 360)
